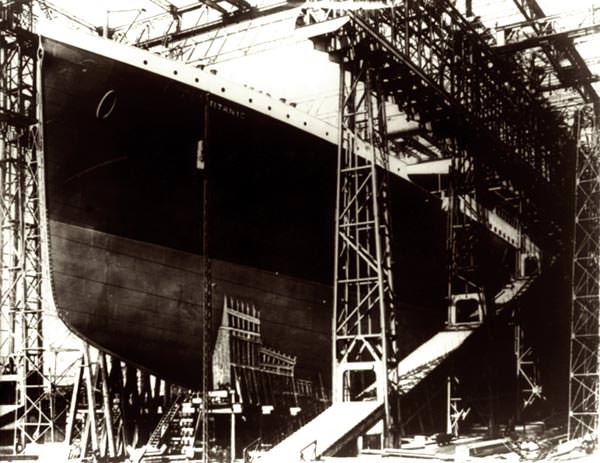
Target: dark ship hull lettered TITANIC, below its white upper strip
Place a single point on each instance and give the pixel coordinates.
(126, 153)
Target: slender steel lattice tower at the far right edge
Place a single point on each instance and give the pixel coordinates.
(584, 385)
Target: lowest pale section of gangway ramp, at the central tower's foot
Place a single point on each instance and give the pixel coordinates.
(327, 433)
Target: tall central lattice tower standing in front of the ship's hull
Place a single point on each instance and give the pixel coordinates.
(364, 328)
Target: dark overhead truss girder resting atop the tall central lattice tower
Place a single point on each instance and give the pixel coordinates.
(442, 73)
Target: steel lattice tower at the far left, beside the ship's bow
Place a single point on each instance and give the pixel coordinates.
(21, 307)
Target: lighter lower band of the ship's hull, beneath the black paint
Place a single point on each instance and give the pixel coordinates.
(144, 302)
